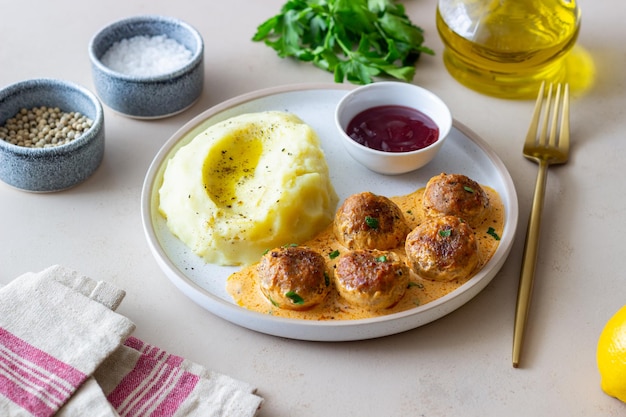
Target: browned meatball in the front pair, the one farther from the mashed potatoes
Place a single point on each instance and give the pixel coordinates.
(370, 278)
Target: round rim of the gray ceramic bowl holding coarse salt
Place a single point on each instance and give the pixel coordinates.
(197, 53)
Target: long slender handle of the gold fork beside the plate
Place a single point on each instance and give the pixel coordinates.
(529, 261)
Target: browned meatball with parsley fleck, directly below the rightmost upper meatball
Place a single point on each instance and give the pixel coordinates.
(442, 248)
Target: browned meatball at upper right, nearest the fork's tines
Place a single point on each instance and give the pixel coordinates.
(455, 194)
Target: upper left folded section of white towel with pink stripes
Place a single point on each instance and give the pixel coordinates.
(52, 339)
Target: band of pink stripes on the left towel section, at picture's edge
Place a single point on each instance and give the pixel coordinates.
(33, 379)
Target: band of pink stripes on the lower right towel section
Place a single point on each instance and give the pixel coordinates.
(152, 388)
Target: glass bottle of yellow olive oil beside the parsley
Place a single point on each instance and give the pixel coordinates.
(505, 48)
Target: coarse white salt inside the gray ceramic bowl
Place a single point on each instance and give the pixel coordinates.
(146, 55)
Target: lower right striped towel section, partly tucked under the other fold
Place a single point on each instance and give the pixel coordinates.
(142, 380)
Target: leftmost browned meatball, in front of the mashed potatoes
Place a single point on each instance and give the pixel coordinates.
(294, 277)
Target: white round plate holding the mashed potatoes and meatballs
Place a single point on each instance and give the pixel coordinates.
(205, 284)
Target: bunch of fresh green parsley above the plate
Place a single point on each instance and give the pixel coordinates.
(354, 39)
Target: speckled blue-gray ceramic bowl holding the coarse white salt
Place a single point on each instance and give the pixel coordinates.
(155, 96)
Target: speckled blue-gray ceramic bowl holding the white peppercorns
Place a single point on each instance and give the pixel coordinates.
(59, 167)
